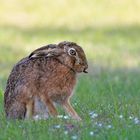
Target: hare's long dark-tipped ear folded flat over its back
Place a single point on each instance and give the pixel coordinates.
(46, 51)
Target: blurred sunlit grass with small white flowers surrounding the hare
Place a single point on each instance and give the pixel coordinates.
(107, 98)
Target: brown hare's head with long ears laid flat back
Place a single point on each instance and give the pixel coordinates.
(68, 53)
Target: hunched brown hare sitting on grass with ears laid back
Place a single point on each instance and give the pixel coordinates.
(47, 76)
